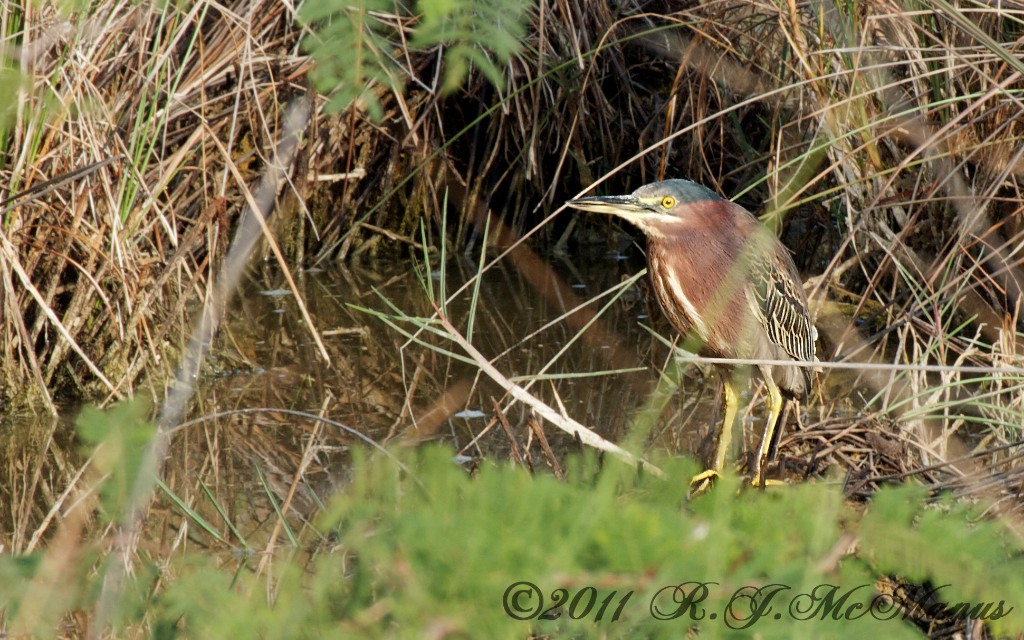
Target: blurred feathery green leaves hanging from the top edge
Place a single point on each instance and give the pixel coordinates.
(355, 47)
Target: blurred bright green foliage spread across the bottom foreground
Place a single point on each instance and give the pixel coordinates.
(437, 551)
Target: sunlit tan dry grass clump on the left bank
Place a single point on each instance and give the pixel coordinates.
(138, 131)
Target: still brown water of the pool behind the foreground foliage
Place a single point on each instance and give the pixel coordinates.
(569, 331)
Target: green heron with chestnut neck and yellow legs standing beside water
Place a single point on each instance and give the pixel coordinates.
(723, 278)
